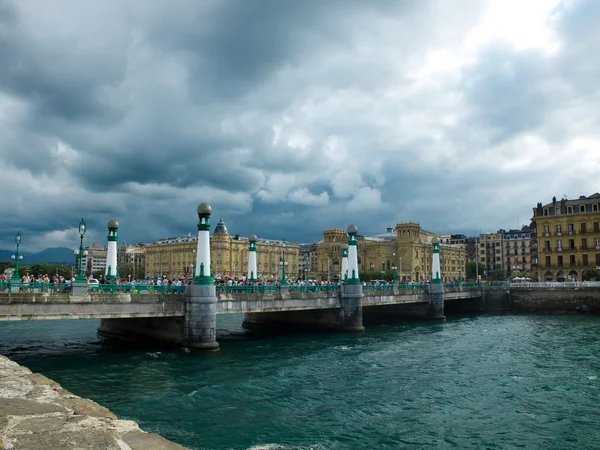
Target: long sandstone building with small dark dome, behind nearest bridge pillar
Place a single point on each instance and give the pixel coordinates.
(174, 257)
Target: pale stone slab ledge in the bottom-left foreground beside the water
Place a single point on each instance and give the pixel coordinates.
(36, 413)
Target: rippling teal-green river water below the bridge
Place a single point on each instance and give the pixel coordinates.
(494, 382)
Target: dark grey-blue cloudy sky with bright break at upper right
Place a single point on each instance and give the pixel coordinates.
(292, 116)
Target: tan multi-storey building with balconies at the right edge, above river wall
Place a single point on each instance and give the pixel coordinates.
(566, 238)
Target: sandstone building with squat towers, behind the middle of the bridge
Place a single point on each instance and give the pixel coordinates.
(406, 247)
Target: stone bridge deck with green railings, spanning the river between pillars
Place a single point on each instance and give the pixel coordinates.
(159, 312)
